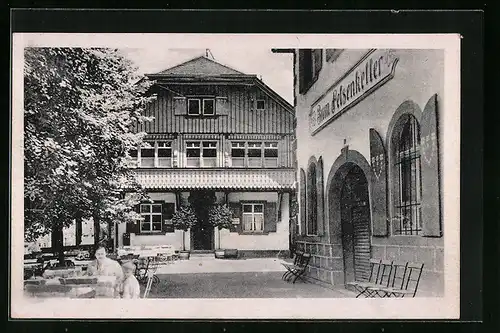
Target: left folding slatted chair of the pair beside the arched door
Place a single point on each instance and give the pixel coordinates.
(380, 276)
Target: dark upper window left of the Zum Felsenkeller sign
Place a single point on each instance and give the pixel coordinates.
(310, 64)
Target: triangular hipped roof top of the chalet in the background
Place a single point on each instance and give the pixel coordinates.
(200, 66)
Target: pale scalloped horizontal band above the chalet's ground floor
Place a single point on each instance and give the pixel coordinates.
(216, 179)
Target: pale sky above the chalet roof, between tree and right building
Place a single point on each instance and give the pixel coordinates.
(276, 69)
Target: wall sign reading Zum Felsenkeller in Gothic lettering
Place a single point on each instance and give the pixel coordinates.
(373, 70)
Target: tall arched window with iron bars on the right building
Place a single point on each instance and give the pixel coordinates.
(407, 177)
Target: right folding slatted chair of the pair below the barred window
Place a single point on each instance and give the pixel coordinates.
(404, 282)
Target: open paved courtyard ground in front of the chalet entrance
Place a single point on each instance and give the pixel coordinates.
(250, 278)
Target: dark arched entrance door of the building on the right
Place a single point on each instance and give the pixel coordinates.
(355, 220)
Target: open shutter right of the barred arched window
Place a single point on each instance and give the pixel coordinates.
(429, 147)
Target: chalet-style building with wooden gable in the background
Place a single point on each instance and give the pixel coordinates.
(221, 133)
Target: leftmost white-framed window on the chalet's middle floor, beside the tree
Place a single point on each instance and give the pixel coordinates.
(154, 154)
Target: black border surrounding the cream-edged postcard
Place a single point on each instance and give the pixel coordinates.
(470, 24)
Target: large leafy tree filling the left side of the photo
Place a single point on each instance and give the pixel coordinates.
(79, 107)
